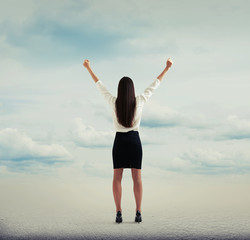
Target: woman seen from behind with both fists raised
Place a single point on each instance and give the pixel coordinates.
(127, 148)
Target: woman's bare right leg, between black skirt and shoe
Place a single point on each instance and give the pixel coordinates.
(136, 175)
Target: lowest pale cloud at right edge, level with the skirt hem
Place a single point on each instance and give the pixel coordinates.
(208, 161)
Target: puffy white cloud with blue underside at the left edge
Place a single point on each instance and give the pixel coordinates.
(16, 146)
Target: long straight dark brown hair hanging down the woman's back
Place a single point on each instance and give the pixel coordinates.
(125, 102)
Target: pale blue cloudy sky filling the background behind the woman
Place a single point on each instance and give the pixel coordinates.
(54, 124)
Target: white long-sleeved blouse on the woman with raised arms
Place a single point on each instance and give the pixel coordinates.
(140, 101)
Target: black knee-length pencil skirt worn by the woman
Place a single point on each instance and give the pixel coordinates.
(127, 150)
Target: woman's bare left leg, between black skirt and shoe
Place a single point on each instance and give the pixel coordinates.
(117, 187)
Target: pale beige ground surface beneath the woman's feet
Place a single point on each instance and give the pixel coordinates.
(65, 212)
